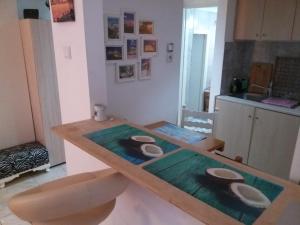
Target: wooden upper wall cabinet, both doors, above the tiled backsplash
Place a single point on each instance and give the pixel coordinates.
(270, 20)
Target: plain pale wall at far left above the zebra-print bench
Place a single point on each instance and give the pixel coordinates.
(16, 125)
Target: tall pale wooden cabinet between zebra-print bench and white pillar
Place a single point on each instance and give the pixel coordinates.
(38, 33)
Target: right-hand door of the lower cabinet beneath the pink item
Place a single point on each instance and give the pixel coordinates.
(273, 142)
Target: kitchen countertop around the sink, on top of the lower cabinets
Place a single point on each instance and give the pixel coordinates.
(293, 112)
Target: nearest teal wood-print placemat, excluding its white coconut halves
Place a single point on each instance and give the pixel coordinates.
(186, 171)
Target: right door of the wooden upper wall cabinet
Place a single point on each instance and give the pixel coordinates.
(278, 20)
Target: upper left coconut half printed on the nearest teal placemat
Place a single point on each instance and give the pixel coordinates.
(224, 175)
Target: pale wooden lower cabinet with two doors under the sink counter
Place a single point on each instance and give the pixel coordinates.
(265, 139)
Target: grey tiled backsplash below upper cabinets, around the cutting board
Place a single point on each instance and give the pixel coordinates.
(239, 56)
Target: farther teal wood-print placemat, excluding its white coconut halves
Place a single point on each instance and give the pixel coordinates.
(112, 138)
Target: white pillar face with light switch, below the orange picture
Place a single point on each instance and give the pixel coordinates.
(72, 74)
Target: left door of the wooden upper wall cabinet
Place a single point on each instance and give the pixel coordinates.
(249, 19)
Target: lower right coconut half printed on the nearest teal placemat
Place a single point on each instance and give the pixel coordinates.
(250, 195)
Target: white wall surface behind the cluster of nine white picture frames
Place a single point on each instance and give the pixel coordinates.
(156, 99)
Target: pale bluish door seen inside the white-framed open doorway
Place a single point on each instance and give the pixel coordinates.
(195, 78)
